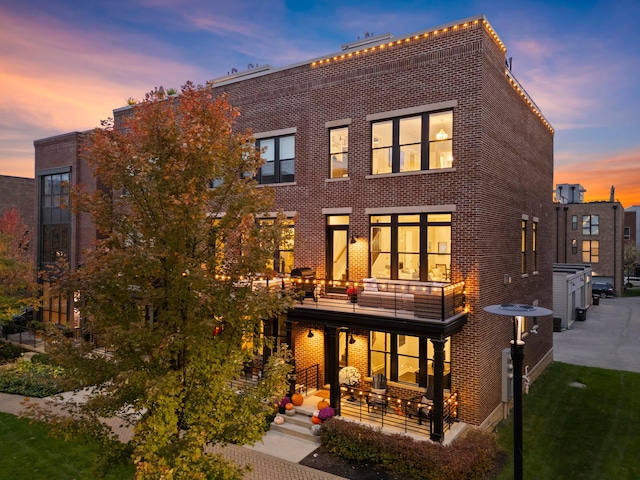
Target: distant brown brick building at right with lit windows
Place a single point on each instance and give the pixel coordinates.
(590, 233)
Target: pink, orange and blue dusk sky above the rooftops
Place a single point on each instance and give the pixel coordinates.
(65, 64)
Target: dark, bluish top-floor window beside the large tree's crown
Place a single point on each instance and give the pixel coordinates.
(279, 157)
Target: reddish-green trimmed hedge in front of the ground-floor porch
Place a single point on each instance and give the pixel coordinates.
(471, 457)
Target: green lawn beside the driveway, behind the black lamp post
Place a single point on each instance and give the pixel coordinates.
(579, 433)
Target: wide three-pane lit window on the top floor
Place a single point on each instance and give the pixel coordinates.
(413, 143)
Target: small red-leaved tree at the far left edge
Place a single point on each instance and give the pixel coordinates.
(18, 287)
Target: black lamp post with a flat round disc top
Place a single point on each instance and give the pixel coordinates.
(518, 312)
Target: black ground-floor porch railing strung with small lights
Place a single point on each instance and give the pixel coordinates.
(405, 415)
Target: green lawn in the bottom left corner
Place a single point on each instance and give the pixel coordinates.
(28, 452)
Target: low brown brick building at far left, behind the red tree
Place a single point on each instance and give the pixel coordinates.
(19, 193)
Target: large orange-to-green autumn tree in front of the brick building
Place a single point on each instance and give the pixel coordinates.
(169, 286)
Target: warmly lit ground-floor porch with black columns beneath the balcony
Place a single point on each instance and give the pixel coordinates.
(402, 408)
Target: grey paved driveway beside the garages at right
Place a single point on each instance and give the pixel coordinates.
(608, 338)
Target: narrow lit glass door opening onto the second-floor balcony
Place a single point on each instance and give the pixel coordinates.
(337, 252)
